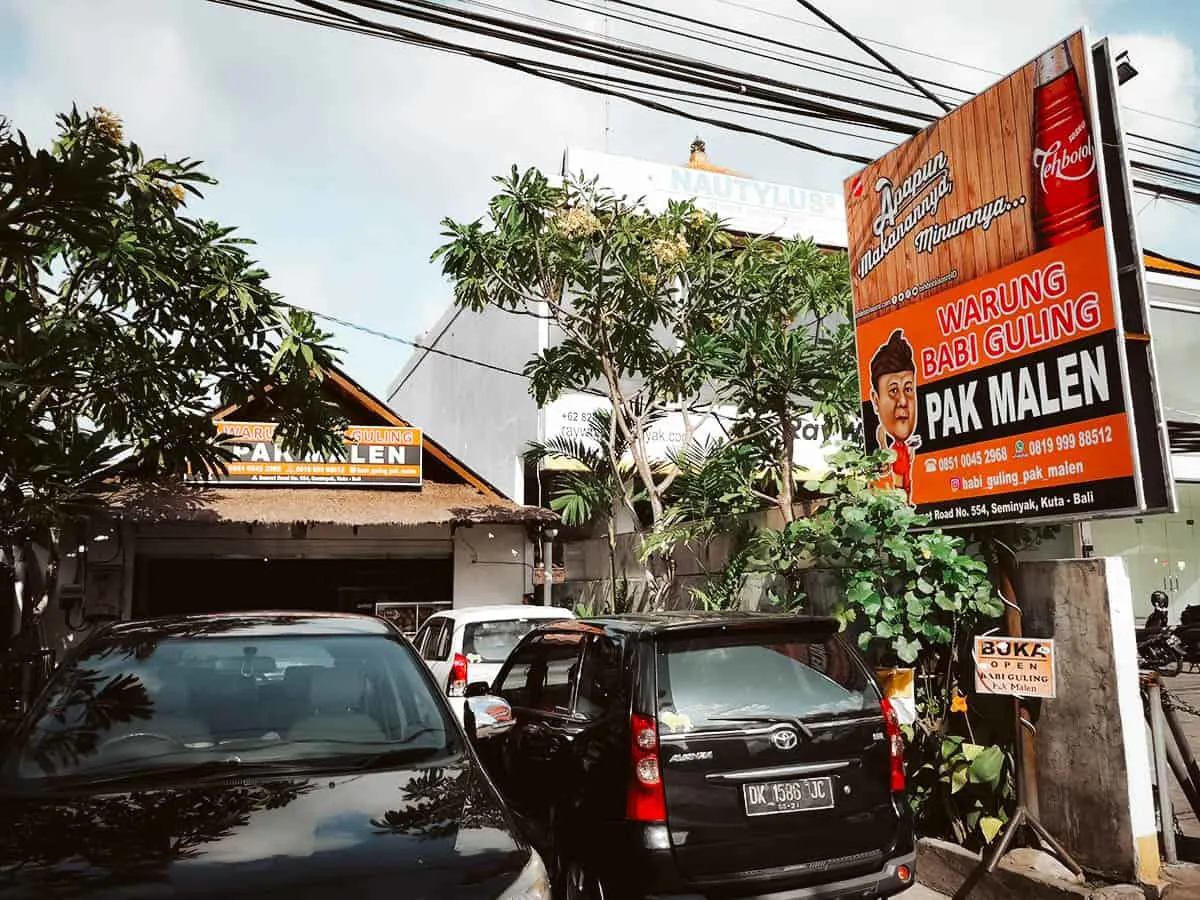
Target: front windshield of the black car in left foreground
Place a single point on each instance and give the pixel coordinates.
(172, 703)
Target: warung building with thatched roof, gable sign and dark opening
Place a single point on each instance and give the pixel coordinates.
(399, 529)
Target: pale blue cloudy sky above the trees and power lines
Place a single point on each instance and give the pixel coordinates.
(340, 154)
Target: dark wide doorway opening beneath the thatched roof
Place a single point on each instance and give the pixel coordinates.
(182, 586)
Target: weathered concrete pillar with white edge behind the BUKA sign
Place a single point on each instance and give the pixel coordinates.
(1094, 766)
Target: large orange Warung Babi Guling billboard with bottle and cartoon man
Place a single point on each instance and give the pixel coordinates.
(991, 352)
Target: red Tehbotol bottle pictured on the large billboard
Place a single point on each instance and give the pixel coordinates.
(1066, 182)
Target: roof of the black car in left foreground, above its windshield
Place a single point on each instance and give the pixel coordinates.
(267, 623)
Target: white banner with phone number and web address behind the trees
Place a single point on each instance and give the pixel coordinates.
(568, 417)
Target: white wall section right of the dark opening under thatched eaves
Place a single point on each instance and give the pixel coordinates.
(493, 565)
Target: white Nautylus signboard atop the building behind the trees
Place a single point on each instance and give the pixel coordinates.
(759, 208)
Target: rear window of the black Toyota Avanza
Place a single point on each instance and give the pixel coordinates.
(711, 681)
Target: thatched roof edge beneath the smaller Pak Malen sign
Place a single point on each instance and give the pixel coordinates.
(147, 502)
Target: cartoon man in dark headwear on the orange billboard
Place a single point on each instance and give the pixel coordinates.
(895, 398)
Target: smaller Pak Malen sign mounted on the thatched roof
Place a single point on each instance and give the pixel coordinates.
(375, 457)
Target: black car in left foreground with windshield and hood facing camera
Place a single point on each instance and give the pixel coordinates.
(256, 755)
